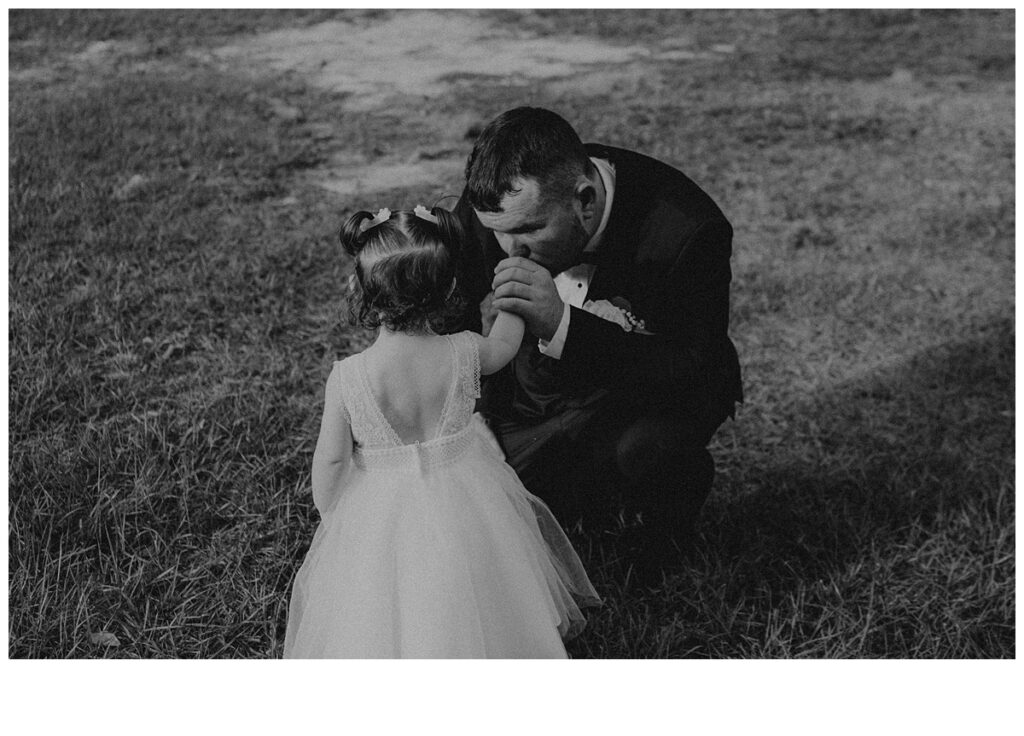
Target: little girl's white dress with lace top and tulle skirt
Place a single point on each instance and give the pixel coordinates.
(434, 549)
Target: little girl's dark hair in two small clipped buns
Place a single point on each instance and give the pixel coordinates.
(405, 271)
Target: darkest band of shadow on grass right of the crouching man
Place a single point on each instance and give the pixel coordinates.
(894, 451)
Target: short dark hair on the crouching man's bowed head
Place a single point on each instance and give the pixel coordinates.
(527, 143)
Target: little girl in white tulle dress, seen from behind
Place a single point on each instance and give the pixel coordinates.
(430, 546)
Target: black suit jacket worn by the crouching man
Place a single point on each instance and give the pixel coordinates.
(666, 252)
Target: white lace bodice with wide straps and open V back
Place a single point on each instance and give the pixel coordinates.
(372, 434)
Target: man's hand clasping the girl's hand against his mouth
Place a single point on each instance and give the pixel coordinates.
(527, 289)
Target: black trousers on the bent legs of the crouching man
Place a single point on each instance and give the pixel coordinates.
(655, 458)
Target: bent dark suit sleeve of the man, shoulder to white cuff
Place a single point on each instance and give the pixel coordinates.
(686, 361)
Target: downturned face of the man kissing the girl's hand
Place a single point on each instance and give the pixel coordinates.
(550, 234)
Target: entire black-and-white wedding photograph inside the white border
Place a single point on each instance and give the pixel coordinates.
(511, 334)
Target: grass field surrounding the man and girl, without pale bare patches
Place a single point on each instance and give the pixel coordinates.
(169, 338)
